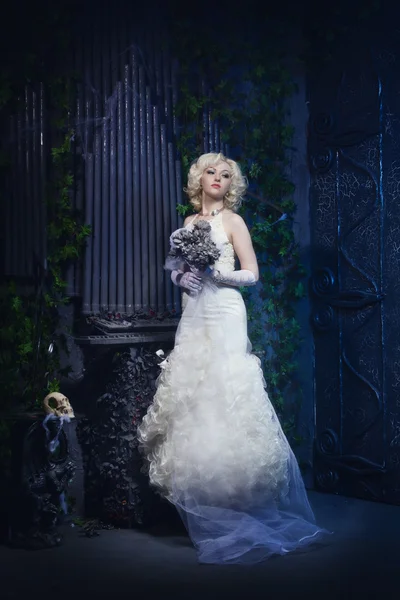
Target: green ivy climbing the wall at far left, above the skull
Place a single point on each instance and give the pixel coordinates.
(30, 336)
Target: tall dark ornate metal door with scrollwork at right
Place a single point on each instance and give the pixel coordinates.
(354, 154)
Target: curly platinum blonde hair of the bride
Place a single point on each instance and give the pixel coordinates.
(237, 189)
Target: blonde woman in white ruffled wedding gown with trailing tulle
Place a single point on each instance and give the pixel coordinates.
(212, 441)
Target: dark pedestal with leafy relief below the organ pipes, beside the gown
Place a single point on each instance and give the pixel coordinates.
(116, 490)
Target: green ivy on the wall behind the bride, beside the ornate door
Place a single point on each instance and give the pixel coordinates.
(245, 89)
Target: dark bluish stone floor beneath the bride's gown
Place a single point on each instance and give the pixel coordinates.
(362, 559)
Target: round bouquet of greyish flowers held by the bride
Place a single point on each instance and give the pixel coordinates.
(194, 247)
